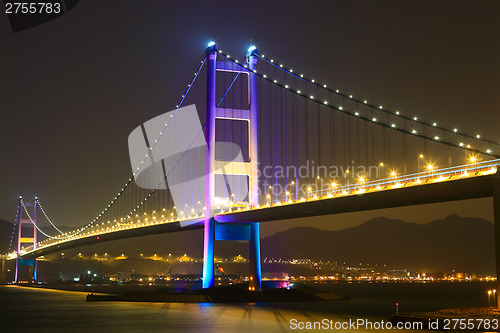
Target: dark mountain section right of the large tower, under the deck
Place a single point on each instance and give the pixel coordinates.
(463, 244)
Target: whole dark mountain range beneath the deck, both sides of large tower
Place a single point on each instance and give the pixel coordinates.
(453, 243)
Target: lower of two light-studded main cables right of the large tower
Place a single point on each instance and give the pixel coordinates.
(488, 152)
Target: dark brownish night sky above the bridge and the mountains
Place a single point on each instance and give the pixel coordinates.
(74, 88)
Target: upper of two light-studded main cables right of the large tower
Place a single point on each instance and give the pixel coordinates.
(379, 108)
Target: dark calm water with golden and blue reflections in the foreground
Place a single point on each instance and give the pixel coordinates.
(43, 310)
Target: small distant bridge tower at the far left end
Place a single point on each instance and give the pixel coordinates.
(26, 238)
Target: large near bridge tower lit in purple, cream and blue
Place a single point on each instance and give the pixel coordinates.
(214, 230)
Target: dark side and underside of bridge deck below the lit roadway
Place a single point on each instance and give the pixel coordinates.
(466, 188)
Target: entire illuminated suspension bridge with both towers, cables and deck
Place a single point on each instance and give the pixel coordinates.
(303, 149)
